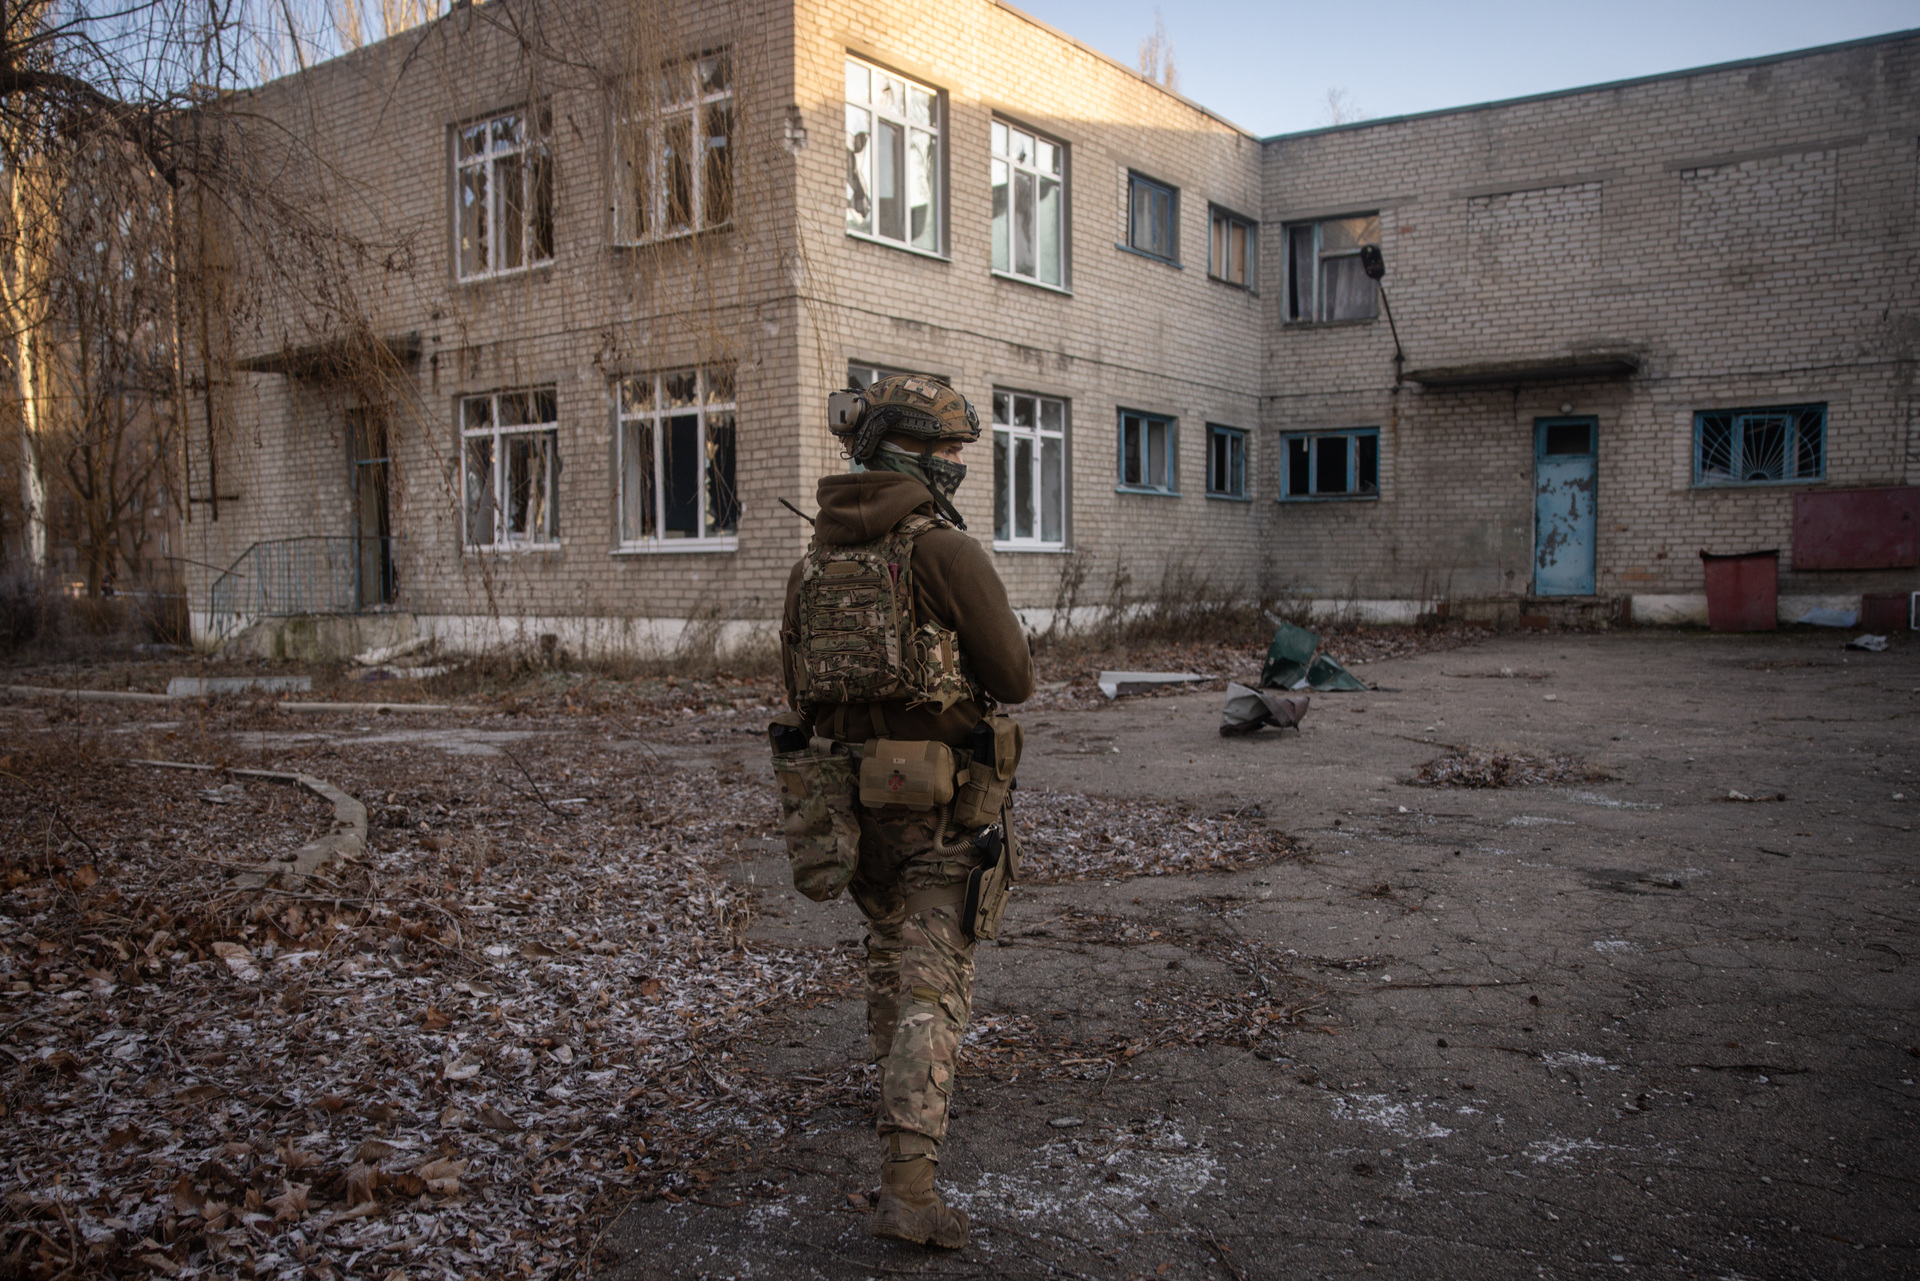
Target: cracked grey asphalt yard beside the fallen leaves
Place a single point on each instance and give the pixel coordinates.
(1631, 1027)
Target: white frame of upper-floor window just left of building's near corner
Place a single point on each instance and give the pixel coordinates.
(692, 95)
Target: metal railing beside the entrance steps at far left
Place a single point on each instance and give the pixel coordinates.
(314, 575)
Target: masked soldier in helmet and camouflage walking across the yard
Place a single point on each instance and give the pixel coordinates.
(909, 435)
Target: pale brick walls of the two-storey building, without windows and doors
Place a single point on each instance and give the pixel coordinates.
(1748, 231)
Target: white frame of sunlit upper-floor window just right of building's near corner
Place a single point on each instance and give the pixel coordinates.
(878, 99)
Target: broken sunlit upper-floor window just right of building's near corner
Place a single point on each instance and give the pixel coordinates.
(894, 158)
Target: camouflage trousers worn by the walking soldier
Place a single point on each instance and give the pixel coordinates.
(919, 975)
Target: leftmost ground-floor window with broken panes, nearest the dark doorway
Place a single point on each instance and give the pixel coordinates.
(512, 450)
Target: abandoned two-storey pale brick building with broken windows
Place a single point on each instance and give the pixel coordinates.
(629, 251)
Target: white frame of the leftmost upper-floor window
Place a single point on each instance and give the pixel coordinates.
(496, 153)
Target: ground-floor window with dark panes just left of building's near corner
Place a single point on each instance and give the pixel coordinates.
(677, 458)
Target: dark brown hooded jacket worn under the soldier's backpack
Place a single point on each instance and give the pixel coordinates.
(953, 585)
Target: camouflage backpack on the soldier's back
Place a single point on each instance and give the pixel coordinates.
(857, 637)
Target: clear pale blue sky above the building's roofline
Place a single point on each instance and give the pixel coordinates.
(1268, 66)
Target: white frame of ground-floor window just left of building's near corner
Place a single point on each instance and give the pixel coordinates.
(715, 397)
